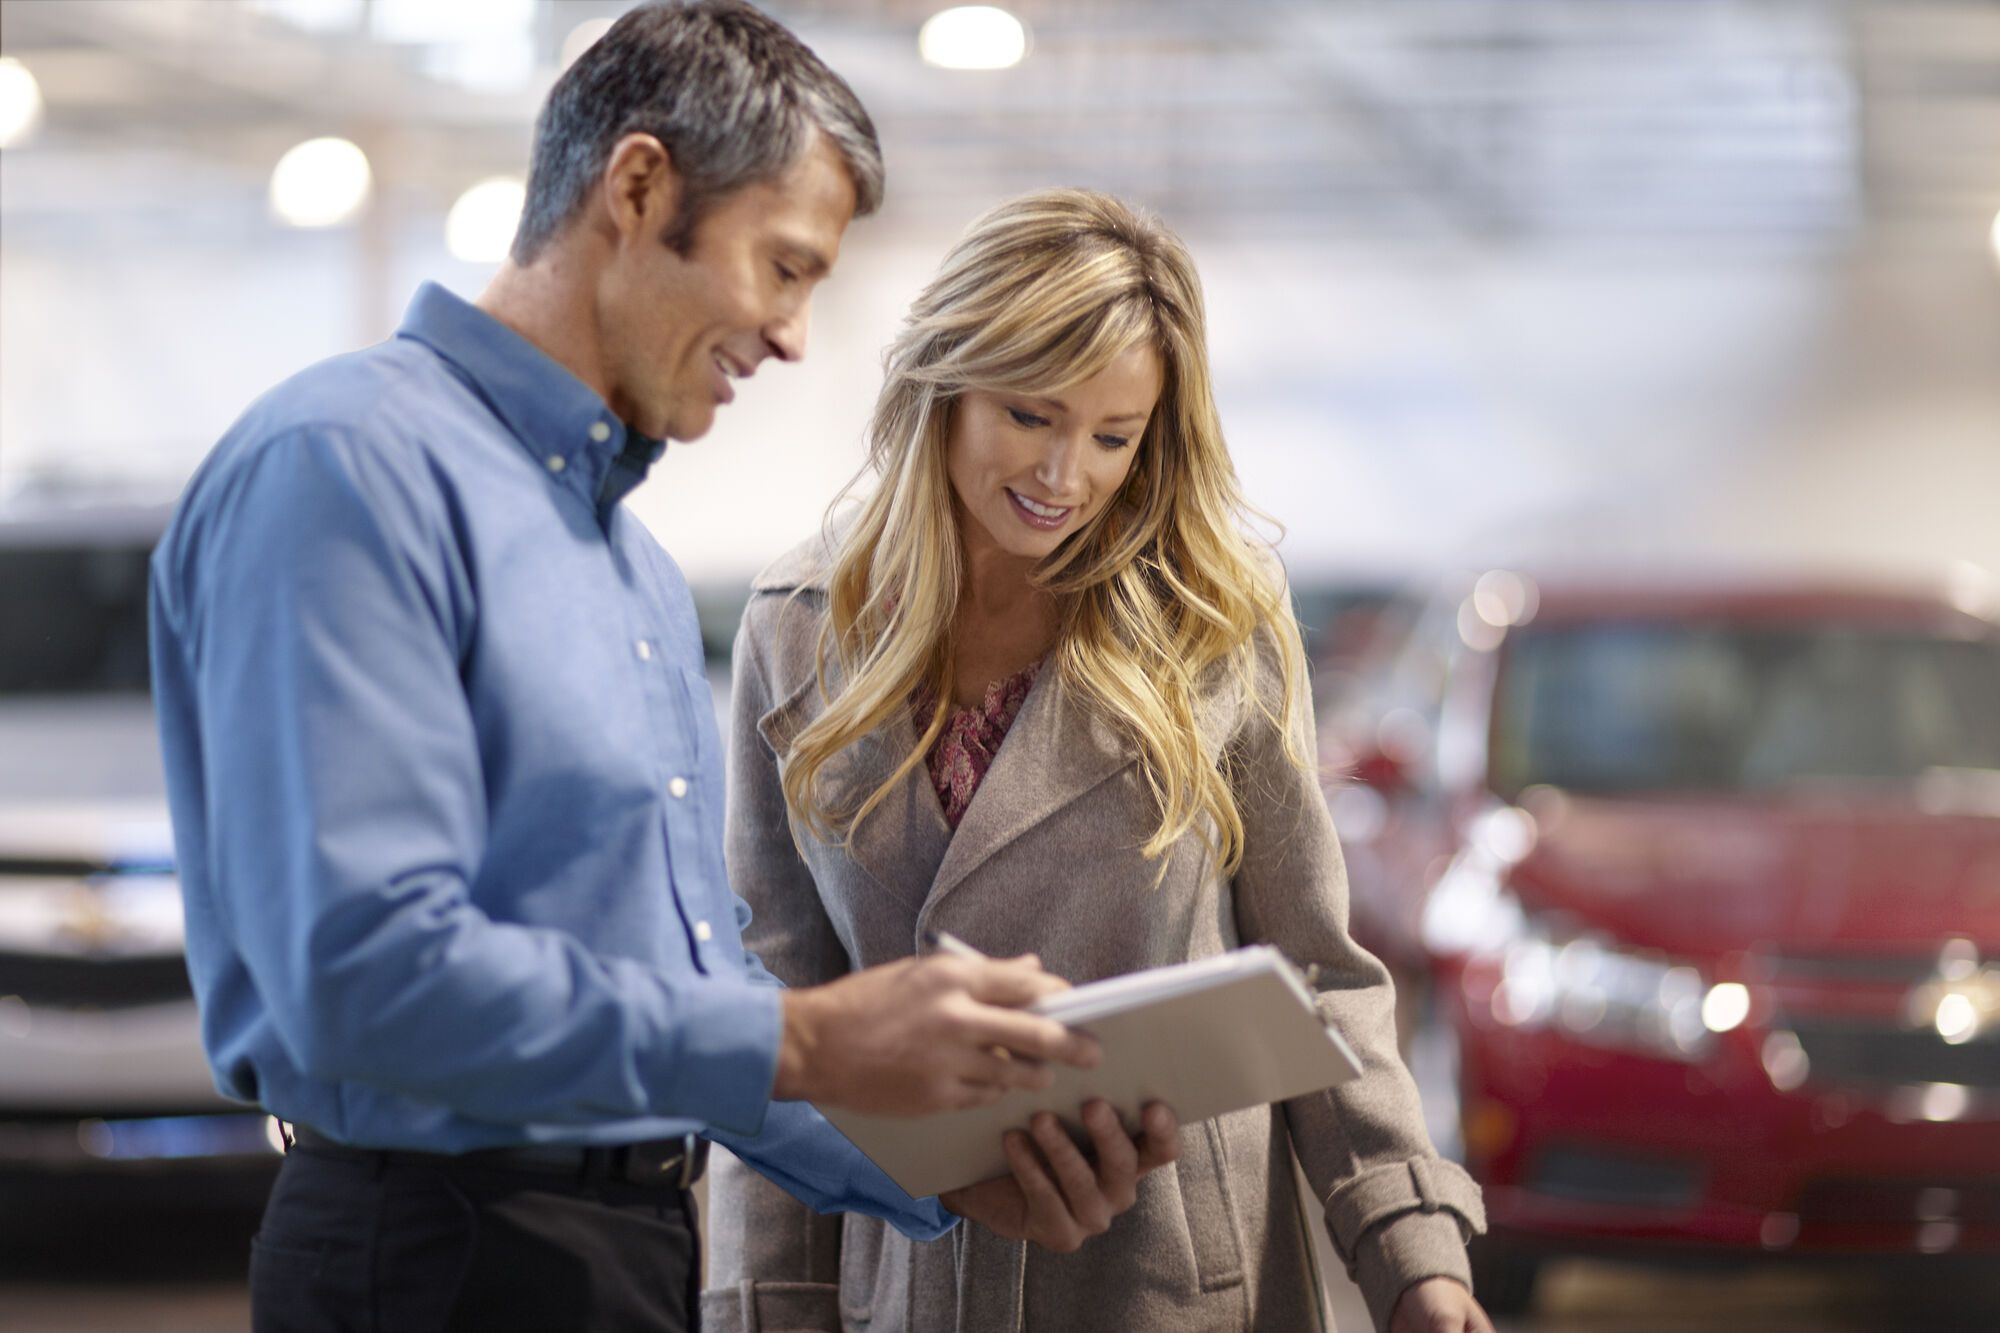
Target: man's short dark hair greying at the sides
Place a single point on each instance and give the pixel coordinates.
(731, 95)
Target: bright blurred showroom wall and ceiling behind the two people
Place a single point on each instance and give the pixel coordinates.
(1545, 281)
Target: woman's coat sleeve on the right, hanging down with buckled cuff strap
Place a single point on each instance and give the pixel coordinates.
(1395, 1210)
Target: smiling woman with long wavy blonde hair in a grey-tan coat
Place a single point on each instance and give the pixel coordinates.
(1057, 559)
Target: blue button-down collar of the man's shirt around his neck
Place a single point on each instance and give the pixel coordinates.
(559, 419)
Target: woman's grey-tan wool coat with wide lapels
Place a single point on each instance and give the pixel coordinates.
(1047, 860)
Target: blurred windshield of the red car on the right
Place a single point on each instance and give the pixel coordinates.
(1641, 708)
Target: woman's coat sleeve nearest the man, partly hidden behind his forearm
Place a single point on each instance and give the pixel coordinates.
(775, 1264)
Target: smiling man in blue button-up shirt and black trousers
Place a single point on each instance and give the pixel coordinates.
(445, 776)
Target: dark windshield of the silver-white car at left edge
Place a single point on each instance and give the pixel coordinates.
(73, 621)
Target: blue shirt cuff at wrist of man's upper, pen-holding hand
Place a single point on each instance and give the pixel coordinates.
(723, 1060)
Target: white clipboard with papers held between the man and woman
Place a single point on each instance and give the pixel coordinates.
(1207, 1038)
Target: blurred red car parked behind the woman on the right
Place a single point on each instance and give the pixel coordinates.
(1707, 888)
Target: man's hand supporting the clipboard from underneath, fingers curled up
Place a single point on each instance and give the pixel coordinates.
(1081, 1202)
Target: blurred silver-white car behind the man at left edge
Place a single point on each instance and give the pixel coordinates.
(101, 1062)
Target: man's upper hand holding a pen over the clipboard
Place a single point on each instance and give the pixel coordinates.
(935, 1034)
